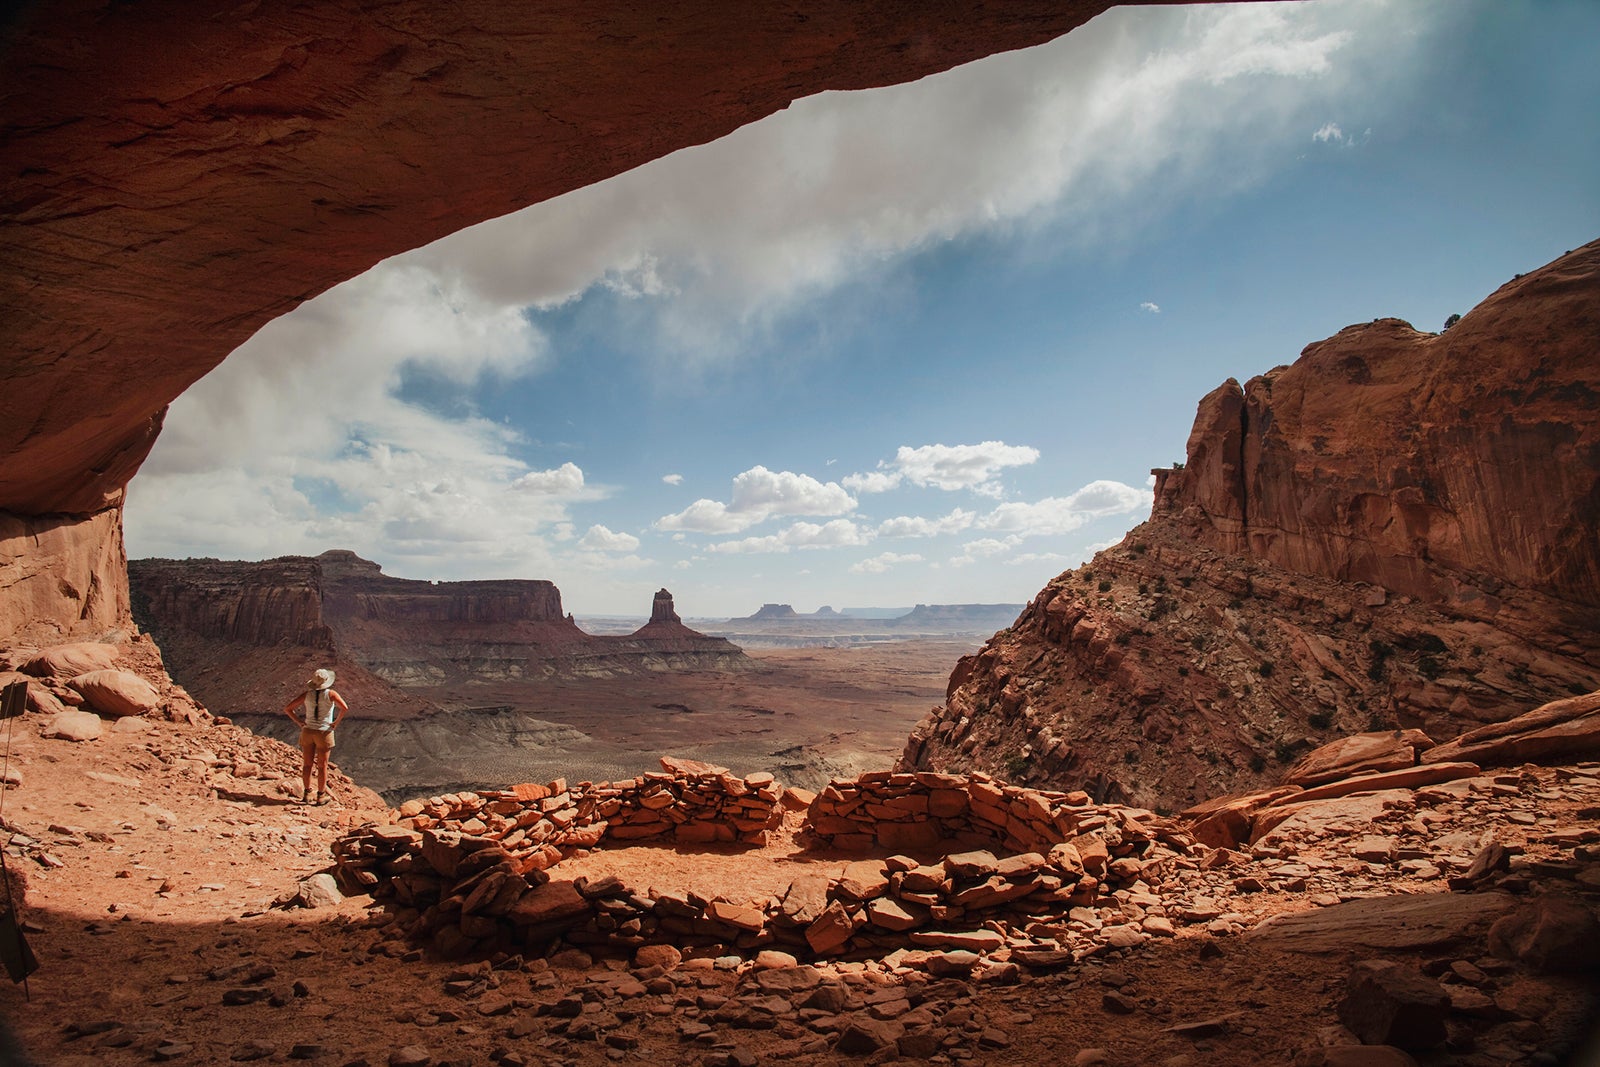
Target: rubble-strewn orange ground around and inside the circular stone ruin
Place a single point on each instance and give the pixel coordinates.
(153, 860)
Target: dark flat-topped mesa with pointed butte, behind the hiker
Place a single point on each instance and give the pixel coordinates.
(236, 634)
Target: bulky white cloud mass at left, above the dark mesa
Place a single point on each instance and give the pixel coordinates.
(305, 441)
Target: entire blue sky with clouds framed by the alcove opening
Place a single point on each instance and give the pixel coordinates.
(913, 345)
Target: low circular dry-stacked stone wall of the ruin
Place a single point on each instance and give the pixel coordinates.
(471, 873)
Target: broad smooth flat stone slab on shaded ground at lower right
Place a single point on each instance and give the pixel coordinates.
(1422, 921)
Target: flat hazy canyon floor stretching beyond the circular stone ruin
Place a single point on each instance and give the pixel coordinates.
(806, 716)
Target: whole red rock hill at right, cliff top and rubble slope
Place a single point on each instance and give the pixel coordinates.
(1399, 530)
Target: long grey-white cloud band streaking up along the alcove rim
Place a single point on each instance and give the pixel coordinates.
(1066, 132)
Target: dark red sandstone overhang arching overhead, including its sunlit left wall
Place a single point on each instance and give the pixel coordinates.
(182, 172)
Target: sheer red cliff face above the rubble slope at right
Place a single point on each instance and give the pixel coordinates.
(1415, 462)
